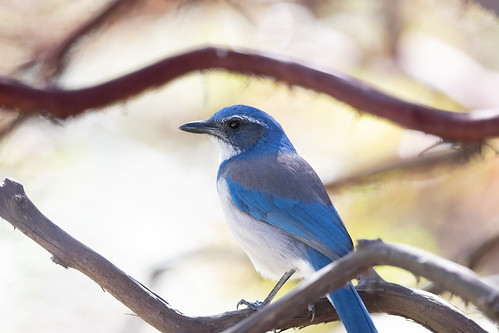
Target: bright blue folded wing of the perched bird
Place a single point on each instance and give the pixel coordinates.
(314, 223)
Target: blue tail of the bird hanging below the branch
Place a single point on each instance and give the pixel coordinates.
(351, 309)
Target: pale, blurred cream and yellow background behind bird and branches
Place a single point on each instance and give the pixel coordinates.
(126, 182)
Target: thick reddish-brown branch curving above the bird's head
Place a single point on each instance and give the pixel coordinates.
(360, 95)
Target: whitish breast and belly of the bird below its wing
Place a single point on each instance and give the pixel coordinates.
(272, 251)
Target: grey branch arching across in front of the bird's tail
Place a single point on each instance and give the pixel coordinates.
(456, 279)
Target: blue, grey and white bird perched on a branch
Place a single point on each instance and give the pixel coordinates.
(276, 205)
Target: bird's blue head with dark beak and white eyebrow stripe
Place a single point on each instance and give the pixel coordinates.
(241, 129)
